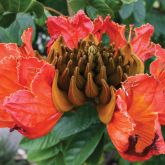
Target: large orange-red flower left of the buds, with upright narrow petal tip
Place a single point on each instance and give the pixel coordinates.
(24, 105)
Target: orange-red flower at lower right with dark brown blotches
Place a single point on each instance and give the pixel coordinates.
(134, 128)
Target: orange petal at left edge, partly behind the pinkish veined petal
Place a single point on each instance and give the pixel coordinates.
(9, 84)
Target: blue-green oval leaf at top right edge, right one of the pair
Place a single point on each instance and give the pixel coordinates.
(139, 11)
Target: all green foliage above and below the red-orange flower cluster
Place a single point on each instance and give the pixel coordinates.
(79, 137)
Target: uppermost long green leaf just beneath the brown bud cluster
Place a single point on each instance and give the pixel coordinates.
(70, 124)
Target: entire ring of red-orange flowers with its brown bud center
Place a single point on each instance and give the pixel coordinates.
(35, 92)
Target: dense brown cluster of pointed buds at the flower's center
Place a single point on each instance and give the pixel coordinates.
(90, 69)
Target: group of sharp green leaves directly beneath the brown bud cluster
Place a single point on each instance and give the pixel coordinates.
(73, 139)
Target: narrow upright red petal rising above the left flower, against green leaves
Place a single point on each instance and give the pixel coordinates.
(27, 49)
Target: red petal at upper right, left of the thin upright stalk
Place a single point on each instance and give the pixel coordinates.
(116, 33)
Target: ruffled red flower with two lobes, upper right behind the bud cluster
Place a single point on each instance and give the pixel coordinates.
(137, 37)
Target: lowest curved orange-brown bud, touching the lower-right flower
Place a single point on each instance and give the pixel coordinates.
(106, 111)
